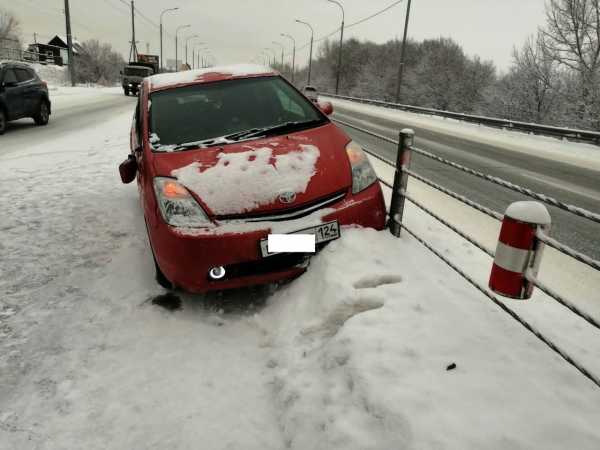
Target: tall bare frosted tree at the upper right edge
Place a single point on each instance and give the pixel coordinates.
(572, 36)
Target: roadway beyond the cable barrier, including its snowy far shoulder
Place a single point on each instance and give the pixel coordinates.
(566, 171)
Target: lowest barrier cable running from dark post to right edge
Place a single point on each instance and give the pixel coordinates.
(507, 310)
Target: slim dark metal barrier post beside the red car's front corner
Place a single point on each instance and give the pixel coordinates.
(405, 143)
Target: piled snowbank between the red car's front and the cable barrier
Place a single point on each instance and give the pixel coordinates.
(361, 347)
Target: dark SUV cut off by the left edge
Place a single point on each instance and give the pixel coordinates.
(22, 94)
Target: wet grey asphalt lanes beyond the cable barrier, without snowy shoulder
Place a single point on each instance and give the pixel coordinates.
(570, 184)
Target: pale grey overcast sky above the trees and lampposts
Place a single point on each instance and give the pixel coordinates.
(237, 30)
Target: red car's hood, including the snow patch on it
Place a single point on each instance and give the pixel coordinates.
(265, 175)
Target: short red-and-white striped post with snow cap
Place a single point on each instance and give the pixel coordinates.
(519, 252)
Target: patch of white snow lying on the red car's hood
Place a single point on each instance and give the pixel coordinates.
(241, 182)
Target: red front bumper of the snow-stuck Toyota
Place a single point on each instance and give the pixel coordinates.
(186, 256)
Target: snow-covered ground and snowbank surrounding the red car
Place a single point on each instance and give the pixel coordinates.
(352, 355)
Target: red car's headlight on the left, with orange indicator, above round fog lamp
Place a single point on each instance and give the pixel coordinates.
(177, 206)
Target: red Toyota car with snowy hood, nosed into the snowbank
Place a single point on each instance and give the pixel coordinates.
(226, 156)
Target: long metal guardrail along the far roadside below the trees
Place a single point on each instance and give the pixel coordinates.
(589, 136)
